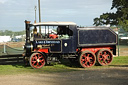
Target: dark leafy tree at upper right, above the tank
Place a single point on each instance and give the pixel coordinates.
(119, 18)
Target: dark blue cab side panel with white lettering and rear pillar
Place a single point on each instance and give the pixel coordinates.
(59, 45)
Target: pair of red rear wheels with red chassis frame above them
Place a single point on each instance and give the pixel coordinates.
(88, 57)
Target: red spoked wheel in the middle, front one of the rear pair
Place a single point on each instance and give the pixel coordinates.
(87, 59)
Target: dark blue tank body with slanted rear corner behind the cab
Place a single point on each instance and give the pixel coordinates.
(96, 37)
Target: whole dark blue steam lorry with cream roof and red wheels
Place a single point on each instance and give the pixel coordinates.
(64, 39)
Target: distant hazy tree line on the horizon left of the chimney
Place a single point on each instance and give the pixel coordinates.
(11, 33)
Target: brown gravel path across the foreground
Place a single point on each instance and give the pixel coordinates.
(106, 76)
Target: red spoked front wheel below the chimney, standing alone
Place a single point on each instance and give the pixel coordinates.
(37, 60)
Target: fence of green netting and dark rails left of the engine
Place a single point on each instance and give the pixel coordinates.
(10, 55)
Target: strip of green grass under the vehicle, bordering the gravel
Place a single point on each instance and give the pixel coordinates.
(20, 69)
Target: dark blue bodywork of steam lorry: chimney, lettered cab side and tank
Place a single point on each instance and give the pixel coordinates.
(82, 37)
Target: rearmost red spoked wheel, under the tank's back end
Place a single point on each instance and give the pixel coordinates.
(104, 57)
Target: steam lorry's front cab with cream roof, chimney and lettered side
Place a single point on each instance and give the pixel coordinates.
(54, 37)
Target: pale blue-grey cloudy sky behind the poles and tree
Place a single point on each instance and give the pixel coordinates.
(13, 13)
